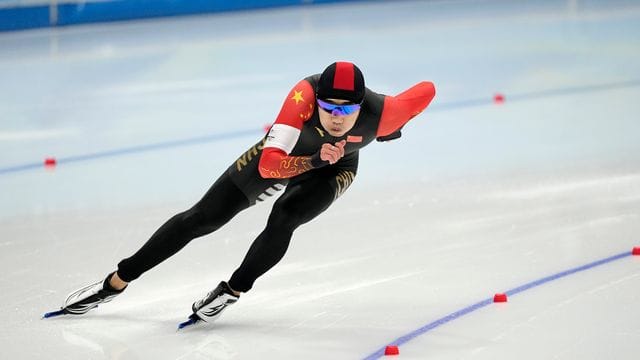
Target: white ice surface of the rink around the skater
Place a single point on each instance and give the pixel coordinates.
(476, 198)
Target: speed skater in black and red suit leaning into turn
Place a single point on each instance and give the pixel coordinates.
(311, 149)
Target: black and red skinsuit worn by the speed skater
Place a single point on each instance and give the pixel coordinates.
(283, 158)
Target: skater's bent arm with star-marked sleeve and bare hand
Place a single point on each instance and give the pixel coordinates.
(275, 161)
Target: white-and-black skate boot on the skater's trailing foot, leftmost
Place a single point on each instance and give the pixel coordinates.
(90, 296)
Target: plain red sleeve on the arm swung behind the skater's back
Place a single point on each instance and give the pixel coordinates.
(399, 109)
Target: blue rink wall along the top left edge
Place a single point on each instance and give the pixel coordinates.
(29, 14)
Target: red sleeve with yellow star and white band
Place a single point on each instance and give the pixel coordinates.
(297, 108)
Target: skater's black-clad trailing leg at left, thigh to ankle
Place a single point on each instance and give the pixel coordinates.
(219, 205)
